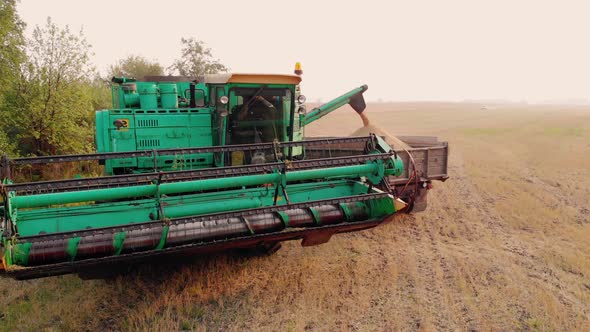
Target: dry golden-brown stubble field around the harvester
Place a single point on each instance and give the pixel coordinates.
(504, 245)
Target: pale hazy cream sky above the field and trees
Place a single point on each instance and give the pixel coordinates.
(531, 50)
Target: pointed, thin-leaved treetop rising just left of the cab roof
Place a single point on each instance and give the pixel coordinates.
(196, 60)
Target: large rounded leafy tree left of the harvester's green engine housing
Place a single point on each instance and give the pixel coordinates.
(52, 111)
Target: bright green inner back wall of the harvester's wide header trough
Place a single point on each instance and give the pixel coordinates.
(45, 220)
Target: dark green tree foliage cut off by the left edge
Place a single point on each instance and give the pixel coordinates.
(11, 57)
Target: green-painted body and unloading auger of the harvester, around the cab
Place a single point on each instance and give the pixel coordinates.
(156, 120)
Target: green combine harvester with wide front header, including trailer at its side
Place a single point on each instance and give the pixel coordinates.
(195, 167)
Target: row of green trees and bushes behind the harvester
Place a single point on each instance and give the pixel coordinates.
(49, 88)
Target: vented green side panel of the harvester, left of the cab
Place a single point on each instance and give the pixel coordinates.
(154, 129)
